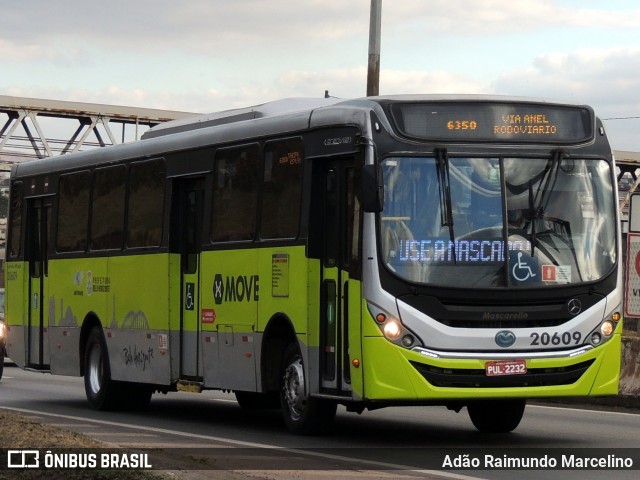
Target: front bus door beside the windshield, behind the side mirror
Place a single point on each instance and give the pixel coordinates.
(337, 236)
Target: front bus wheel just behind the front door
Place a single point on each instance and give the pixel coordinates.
(302, 414)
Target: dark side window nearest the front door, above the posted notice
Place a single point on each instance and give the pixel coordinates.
(282, 189)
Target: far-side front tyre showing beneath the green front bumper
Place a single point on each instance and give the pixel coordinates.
(496, 416)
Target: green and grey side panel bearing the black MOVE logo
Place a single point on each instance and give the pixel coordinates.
(241, 291)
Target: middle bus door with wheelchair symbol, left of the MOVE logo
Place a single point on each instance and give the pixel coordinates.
(188, 204)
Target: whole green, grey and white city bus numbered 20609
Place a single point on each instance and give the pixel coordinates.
(461, 251)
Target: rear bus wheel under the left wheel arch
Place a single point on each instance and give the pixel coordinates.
(101, 391)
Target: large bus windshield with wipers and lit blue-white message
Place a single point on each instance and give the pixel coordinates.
(498, 222)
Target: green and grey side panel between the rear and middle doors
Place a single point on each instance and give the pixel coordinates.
(128, 295)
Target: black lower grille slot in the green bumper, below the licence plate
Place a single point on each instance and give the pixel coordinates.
(477, 378)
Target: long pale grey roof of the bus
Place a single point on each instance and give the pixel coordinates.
(273, 118)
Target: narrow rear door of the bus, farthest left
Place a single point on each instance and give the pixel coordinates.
(39, 219)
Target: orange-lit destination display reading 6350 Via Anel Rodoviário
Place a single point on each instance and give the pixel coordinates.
(501, 122)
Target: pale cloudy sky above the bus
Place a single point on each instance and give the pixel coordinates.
(210, 55)
